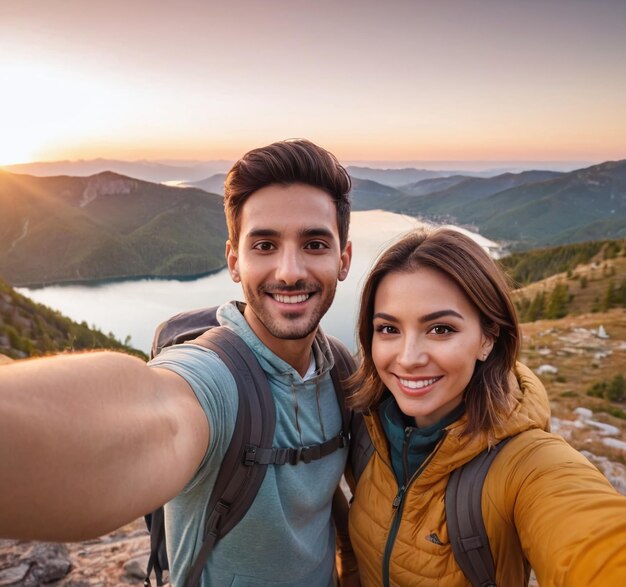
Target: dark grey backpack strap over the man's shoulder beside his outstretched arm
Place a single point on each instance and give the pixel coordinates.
(239, 479)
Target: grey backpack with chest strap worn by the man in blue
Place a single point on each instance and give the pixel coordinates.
(250, 450)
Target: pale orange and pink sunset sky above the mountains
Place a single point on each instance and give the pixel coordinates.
(402, 80)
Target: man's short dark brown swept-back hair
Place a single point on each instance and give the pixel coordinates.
(286, 162)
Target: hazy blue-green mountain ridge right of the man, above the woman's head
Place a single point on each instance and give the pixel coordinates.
(527, 210)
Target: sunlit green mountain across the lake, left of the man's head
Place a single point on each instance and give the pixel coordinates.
(56, 229)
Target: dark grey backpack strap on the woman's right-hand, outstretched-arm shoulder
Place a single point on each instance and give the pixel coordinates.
(466, 527)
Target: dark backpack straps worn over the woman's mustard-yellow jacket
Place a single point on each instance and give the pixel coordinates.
(466, 527)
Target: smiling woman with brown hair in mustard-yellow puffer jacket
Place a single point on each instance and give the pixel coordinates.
(439, 383)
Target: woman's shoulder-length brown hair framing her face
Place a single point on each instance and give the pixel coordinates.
(465, 262)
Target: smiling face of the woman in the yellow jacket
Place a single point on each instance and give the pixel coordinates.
(427, 338)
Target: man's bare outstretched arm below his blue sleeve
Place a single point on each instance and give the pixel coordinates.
(91, 441)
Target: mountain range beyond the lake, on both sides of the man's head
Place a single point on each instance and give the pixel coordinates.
(104, 226)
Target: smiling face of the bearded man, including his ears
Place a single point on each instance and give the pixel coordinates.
(288, 260)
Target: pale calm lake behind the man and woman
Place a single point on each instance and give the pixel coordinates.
(135, 307)
